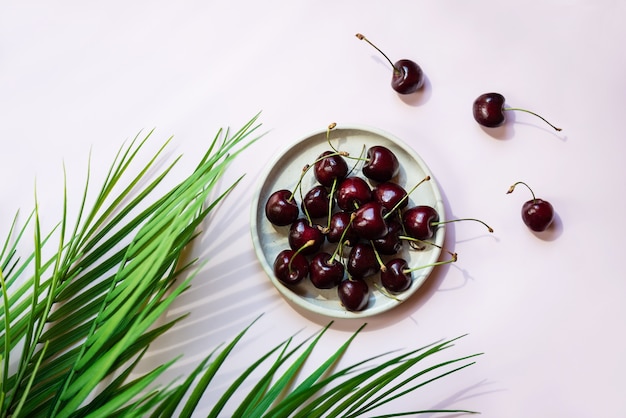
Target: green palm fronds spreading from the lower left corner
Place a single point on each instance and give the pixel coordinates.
(79, 311)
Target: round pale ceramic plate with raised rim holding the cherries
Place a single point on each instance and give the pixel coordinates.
(283, 173)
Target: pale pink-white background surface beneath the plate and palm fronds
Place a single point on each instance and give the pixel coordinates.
(547, 310)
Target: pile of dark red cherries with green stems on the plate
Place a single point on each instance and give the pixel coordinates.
(364, 213)
